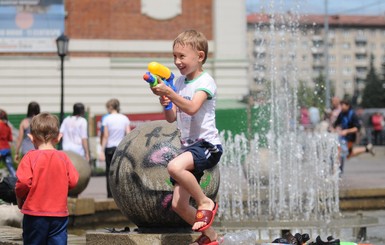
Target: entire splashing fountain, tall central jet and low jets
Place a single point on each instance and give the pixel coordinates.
(295, 177)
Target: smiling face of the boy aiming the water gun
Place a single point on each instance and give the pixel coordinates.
(188, 60)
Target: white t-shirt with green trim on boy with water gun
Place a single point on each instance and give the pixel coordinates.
(202, 124)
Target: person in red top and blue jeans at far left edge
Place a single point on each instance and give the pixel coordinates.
(5, 147)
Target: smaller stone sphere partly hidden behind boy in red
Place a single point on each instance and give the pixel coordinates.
(84, 170)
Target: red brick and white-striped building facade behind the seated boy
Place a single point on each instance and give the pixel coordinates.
(111, 43)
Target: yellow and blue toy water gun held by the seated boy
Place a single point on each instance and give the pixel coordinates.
(164, 73)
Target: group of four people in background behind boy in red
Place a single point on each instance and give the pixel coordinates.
(74, 132)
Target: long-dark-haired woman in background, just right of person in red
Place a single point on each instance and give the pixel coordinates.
(23, 141)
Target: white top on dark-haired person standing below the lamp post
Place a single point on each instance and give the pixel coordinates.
(74, 129)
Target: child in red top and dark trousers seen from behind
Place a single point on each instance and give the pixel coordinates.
(44, 177)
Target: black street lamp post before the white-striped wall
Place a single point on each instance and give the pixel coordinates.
(62, 51)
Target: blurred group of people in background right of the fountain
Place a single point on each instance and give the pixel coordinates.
(349, 125)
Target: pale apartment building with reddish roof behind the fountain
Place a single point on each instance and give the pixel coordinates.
(285, 42)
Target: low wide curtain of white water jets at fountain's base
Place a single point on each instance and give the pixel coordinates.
(296, 181)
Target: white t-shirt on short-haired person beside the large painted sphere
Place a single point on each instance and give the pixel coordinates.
(116, 125)
